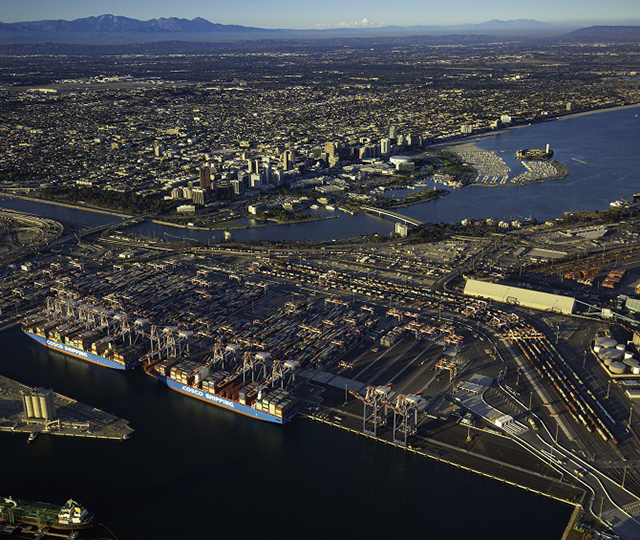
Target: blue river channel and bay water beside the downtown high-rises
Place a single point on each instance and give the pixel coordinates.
(609, 142)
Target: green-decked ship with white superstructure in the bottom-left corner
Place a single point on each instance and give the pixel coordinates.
(70, 516)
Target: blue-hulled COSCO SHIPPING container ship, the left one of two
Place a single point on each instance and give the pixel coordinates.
(72, 337)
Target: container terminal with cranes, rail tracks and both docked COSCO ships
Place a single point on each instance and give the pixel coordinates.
(397, 345)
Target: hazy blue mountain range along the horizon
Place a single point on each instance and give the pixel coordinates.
(113, 29)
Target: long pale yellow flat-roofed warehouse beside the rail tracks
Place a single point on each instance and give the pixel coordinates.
(518, 296)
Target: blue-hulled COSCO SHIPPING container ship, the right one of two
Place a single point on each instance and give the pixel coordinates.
(226, 389)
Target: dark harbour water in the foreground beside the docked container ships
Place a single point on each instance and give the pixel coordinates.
(195, 471)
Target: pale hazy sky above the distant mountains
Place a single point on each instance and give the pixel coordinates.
(314, 13)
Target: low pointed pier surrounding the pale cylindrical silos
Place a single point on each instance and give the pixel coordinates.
(73, 419)
